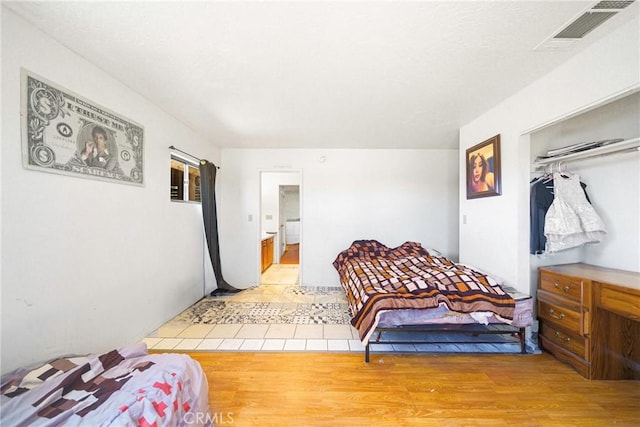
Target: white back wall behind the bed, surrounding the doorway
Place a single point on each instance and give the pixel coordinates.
(388, 195)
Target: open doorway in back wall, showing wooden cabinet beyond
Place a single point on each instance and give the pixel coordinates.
(280, 228)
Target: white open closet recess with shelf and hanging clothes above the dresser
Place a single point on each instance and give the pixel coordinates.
(598, 148)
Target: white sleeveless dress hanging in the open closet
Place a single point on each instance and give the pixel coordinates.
(571, 221)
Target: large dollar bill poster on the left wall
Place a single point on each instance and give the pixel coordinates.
(67, 134)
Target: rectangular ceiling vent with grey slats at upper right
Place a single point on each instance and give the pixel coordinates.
(579, 27)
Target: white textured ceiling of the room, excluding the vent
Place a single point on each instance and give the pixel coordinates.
(318, 74)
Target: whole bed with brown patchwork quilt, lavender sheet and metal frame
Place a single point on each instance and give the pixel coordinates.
(411, 288)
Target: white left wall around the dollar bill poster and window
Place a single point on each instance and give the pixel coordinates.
(89, 265)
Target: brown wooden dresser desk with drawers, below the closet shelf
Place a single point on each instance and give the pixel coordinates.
(590, 318)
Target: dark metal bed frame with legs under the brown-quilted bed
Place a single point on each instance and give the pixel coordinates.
(468, 329)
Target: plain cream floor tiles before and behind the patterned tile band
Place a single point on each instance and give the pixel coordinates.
(183, 335)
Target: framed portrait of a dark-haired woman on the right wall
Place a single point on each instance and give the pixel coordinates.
(483, 169)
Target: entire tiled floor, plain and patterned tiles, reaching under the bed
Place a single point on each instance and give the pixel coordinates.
(279, 315)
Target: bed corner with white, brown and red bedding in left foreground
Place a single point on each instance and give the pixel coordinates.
(124, 387)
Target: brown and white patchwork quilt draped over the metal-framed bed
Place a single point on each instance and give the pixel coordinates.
(377, 278)
